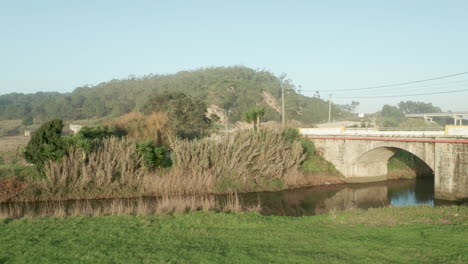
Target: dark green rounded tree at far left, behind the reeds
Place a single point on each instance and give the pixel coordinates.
(45, 144)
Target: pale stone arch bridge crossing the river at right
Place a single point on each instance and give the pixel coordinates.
(360, 157)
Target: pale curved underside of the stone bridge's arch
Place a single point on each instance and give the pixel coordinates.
(373, 162)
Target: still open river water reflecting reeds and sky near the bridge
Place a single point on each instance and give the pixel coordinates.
(323, 199)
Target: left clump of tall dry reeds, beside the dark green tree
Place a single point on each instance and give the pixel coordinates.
(114, 169)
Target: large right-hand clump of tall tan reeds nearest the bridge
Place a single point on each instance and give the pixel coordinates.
(243, 161)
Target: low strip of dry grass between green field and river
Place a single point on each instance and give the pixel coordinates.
(138, 206)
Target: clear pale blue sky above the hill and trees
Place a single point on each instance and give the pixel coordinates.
(320, 45)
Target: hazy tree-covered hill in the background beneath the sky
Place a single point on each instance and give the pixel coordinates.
(235, 89)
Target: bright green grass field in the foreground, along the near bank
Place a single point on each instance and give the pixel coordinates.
(389, 235)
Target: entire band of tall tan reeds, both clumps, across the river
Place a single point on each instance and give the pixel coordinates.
(238, 162)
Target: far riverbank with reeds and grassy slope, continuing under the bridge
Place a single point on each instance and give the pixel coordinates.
(238, 163)
